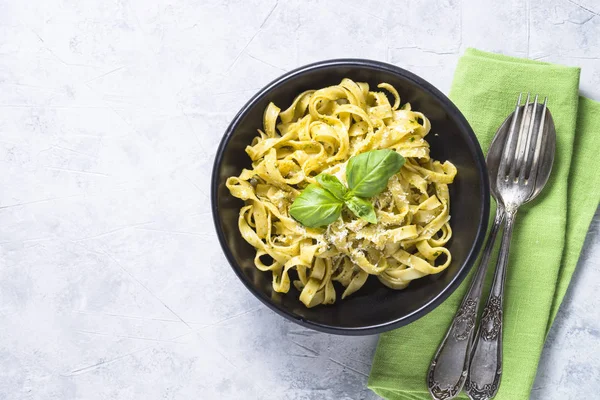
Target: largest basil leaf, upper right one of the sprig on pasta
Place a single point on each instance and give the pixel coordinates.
(368, 173)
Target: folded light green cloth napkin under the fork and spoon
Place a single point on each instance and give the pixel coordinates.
(548, 235)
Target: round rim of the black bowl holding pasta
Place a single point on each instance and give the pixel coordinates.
(473, 146)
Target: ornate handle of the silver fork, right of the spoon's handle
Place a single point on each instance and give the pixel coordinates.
(485, 369)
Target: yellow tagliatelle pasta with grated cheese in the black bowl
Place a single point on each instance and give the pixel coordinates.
(318, 133)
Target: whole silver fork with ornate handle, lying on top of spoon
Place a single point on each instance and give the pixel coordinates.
(526, 153)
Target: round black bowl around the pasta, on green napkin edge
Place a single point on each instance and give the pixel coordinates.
(374, 308)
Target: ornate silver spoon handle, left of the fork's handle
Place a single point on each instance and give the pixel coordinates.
(448, 368)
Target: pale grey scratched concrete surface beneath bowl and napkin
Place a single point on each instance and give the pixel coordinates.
(112, 283)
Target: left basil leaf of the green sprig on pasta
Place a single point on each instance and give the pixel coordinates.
(316, 207)
